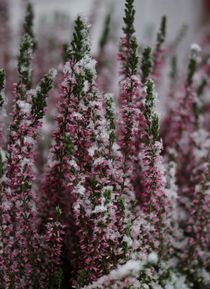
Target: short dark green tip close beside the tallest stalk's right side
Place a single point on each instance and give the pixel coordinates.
(146, 64)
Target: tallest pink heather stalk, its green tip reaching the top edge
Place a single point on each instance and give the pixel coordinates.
(130, 99)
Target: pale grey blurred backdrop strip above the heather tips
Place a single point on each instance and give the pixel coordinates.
(192, 13)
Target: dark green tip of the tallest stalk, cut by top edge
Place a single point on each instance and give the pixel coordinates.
(129, 17)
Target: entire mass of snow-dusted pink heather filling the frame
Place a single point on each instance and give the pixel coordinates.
(103, 192)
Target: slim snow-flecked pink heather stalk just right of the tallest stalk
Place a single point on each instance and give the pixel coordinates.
(155, 203)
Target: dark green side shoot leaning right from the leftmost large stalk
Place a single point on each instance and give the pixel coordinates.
(39, 99)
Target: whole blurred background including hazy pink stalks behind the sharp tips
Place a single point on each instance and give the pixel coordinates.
(53, 25)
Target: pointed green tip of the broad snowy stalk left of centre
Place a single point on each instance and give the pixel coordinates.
(79, 45)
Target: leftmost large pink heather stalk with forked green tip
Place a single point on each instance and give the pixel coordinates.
(18, 231)
